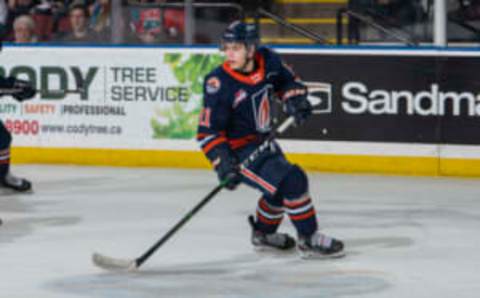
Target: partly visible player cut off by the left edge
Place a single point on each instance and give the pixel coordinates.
(20, 90)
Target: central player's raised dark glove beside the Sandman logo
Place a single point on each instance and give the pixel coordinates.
(297, 105)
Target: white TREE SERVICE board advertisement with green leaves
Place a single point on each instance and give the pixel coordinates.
(125, 98)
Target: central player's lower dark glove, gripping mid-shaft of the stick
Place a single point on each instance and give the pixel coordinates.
(228, 169)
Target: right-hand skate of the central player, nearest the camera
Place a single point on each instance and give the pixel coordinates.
(320, 246)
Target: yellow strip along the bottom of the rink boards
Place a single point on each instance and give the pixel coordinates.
(395, 165)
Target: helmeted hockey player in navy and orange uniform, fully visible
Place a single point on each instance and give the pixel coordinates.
(236, 119)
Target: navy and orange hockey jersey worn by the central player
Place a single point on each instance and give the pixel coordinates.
(237, 107)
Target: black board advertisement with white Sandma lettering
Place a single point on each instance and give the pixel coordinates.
(391, 98)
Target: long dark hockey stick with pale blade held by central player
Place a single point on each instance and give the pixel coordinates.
(110, 263)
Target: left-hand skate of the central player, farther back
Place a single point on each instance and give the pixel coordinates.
(277, 241)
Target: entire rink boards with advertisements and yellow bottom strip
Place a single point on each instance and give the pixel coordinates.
(393, 110)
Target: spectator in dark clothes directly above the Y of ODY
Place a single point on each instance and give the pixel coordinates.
(80, 31)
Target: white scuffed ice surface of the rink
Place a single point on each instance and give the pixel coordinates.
(405, 237)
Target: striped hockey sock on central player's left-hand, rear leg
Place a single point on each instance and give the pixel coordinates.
(269, 215)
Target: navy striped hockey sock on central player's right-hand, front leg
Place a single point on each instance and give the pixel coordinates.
(297, 202)
